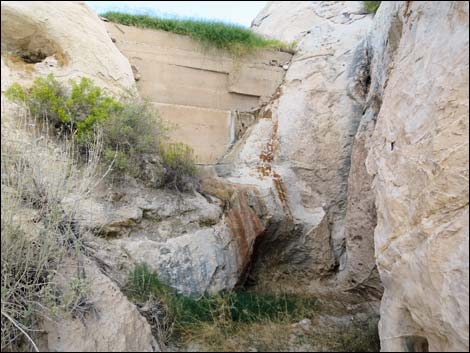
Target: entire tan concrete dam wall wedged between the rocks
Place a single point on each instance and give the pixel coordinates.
(197, 88)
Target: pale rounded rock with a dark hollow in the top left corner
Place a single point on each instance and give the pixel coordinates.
(63, 38)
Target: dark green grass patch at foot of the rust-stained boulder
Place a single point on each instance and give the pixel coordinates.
(186, 312)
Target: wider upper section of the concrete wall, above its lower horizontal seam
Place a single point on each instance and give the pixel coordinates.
(175, 69)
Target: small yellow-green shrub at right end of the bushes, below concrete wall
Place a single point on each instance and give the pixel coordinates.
(180, 169)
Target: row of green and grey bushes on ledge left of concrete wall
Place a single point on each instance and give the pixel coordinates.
(134, 137)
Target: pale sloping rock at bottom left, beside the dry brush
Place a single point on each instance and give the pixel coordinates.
(113, 324)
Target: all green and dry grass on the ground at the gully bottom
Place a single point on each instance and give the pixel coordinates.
(237, 320)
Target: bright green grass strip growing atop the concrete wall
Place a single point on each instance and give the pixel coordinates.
(232, 38)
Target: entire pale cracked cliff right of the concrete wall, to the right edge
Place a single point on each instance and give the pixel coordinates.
(395, 96)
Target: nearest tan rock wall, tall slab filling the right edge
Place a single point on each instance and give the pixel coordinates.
(419, 158)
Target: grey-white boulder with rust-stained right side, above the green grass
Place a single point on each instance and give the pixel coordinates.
(196, 244)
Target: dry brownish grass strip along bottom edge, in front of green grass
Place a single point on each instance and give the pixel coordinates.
(282, 336)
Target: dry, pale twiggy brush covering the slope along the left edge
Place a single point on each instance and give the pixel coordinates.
(37, 232)
